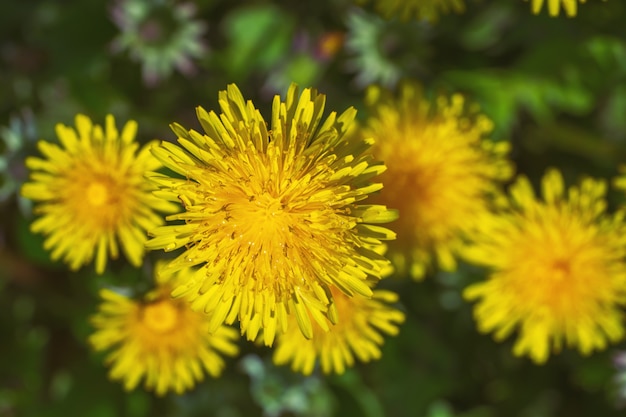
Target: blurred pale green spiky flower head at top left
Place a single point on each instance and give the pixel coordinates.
(161, 34)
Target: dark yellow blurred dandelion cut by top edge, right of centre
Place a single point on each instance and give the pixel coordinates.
(417, 9)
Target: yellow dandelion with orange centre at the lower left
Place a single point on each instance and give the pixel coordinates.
(160, 340)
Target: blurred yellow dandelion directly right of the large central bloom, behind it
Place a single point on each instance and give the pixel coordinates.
(441, 172)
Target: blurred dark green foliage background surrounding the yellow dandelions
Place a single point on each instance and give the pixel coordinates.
(554, 87)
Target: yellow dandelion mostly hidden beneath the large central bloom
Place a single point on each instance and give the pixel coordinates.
(359, 332)
